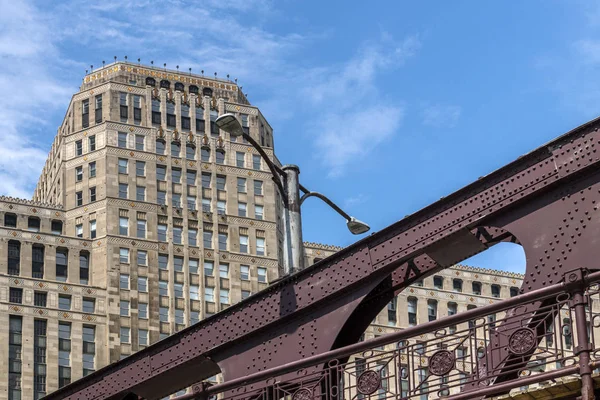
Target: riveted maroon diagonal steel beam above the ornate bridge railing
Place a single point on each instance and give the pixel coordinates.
(309, 311)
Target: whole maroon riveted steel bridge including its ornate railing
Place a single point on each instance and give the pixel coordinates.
(299, 338)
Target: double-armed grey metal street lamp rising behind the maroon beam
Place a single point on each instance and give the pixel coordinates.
(286, 180)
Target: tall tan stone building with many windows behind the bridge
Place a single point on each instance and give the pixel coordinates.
(146, 219)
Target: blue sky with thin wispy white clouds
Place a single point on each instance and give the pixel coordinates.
(385, 105)
